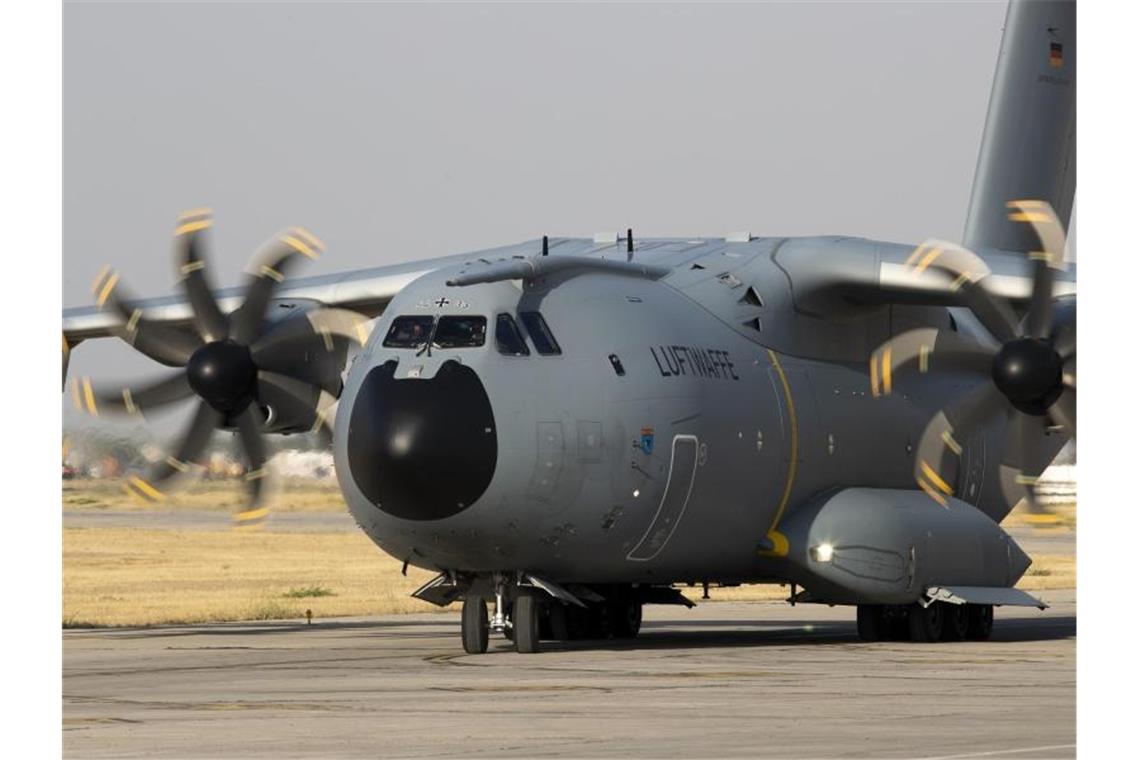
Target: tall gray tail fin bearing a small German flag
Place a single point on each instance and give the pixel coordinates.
(1029, 150)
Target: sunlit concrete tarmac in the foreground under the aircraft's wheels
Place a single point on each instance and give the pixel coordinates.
(726, 680)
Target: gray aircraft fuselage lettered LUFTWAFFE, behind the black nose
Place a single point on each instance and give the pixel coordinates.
(683, 421)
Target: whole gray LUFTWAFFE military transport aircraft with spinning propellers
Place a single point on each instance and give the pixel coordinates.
(568, 429)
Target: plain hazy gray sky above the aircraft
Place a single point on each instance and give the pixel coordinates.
(405, 132)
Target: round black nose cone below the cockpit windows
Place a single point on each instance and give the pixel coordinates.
(422, 450)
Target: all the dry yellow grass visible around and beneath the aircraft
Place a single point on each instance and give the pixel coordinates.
(139, 577)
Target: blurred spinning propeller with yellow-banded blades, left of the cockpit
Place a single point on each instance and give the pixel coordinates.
(249, 375)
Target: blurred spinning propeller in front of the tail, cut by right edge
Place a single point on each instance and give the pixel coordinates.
(1031, 370)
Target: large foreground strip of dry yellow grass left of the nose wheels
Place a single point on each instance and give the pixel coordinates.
(132, 577)
